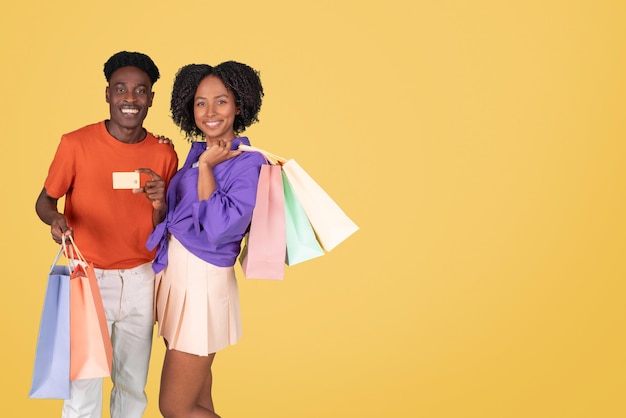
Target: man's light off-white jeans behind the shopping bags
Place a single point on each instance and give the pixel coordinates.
(128, 297)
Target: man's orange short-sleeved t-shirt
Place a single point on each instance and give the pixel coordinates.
(110, 226)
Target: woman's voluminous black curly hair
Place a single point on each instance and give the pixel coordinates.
(240, 79)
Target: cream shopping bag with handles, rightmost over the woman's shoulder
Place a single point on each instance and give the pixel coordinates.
(331, 224)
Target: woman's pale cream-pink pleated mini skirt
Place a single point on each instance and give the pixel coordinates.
(196, 303)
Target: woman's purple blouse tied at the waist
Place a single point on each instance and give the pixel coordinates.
(210, 229)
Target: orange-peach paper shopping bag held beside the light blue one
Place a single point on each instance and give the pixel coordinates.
(90, 343)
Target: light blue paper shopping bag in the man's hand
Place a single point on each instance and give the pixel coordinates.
(51, 372)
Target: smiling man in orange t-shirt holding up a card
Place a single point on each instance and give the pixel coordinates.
(111, 225)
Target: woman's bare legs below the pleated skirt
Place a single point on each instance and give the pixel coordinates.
(184, 391)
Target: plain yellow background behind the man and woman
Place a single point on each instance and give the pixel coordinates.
(478, 145)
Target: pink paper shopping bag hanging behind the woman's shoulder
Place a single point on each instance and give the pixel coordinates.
(263, 256)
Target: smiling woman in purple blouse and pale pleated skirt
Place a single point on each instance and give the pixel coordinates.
(210, 202)
